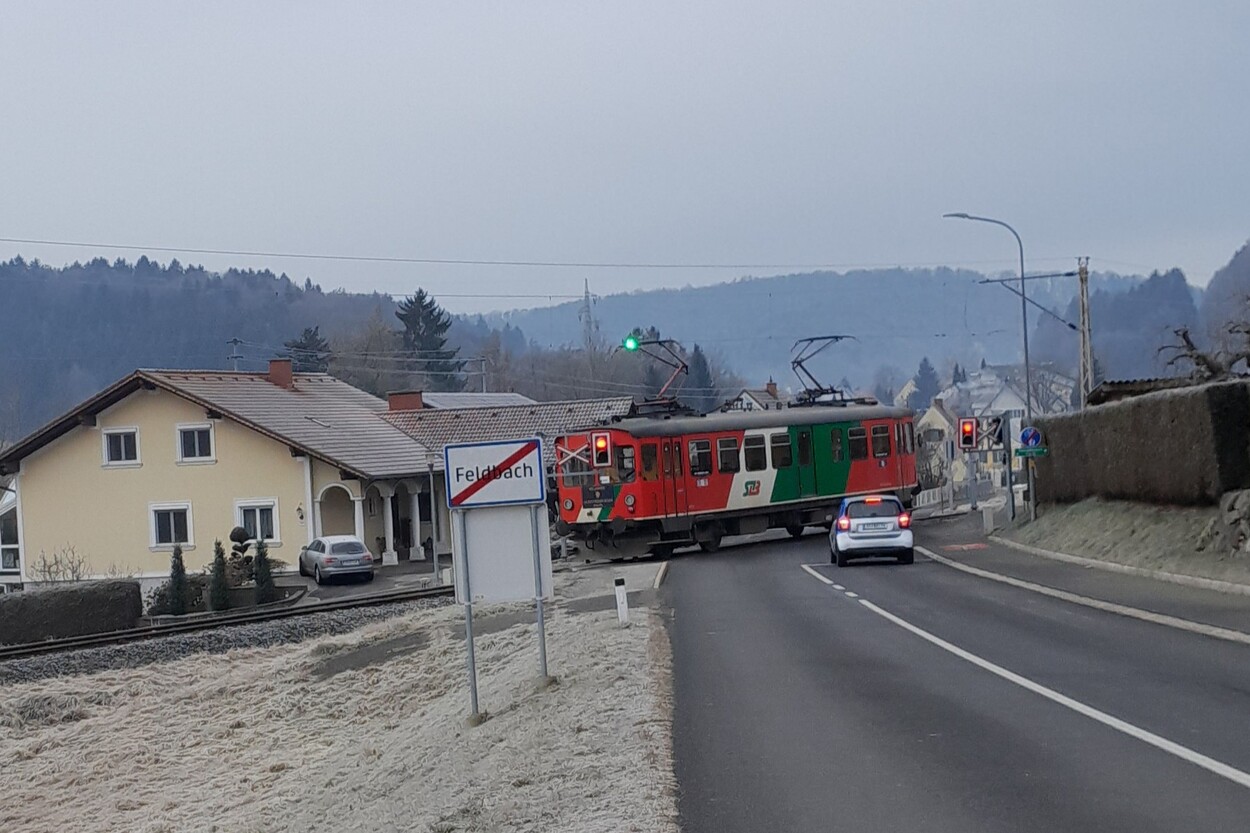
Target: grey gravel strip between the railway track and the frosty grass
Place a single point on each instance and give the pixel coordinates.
(163, 650)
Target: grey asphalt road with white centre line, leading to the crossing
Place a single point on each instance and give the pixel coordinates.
(799, 707)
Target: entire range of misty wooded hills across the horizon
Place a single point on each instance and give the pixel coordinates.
(72, 331)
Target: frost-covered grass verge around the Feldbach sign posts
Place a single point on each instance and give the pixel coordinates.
(256, 740)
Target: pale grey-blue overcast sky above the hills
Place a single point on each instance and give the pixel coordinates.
(697, 133)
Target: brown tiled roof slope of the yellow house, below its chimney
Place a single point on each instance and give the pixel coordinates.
(319, 413)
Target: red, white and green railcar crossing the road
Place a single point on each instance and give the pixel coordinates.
(649, 485)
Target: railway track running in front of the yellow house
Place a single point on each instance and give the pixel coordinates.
(211, 623)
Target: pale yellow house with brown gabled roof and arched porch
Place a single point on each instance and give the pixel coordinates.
(183, 457)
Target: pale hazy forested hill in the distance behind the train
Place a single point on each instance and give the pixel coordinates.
(897, 317)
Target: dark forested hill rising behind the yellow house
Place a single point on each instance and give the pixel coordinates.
(69, 332)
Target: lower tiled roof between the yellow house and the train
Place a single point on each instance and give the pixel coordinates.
(436, 428)
